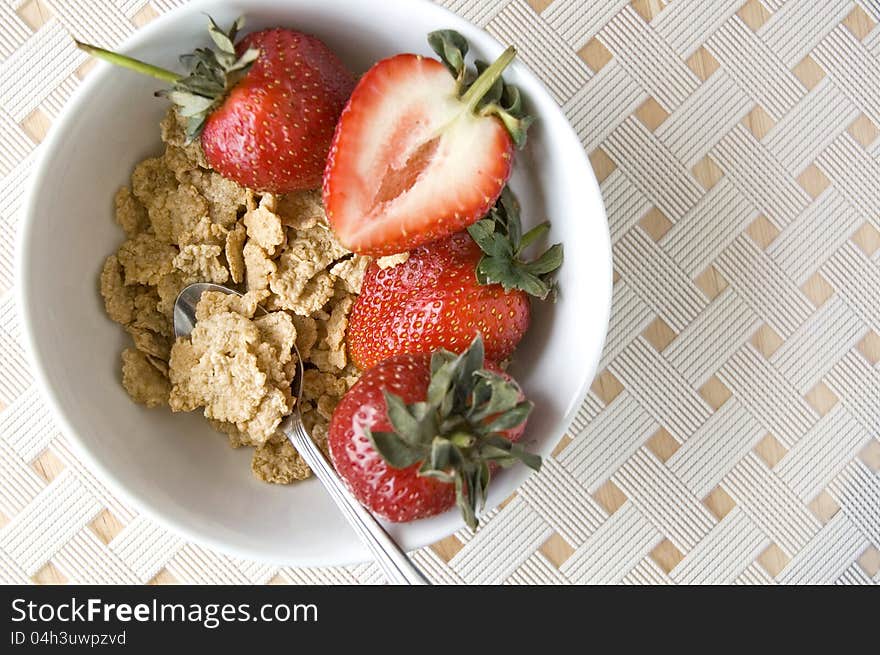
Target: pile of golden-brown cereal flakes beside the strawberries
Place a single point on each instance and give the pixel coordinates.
(184, 223)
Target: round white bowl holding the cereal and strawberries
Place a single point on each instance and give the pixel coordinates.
(173, 467)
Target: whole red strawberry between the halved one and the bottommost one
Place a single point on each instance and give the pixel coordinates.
(450, 290)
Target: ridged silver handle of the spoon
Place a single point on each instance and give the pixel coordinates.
(398, 568)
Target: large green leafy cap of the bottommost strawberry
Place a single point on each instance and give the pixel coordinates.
(457, 431)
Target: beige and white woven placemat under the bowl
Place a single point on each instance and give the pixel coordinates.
(732, 434)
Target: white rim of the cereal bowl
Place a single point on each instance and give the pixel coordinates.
(115, 483)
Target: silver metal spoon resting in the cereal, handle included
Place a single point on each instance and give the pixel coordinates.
(398, 568)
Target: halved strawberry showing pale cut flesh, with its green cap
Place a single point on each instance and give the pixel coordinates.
(419, 154)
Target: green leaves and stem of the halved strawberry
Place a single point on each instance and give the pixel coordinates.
(484, 91)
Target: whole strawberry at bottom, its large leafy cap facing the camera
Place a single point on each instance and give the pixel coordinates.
(410, 444)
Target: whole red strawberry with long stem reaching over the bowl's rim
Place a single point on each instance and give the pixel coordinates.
(265, 109)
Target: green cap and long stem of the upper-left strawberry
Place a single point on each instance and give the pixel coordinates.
(211, 74)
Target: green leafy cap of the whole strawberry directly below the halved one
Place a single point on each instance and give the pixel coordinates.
(499, 235)
